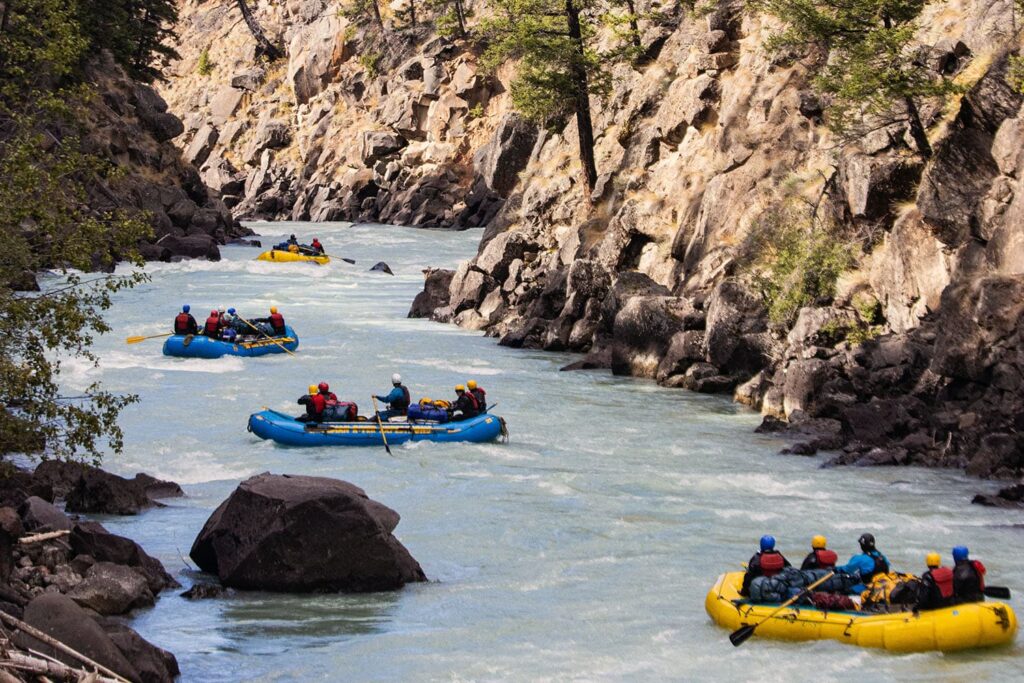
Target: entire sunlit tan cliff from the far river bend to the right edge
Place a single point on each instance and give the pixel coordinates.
(913, 359)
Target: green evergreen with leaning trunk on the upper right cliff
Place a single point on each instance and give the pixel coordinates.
(873, 73)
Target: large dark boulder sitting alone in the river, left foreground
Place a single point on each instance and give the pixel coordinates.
(301, 534)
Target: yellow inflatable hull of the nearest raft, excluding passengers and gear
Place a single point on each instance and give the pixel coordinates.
(964, 627)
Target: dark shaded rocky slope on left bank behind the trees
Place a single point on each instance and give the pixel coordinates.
(130, 124)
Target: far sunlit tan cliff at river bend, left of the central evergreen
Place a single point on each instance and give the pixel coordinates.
(348, 126)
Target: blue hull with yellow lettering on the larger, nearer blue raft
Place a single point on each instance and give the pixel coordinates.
(289, 432)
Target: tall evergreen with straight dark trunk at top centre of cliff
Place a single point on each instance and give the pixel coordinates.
(559, 68)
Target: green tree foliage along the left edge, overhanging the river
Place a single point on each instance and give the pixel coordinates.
(48, 222)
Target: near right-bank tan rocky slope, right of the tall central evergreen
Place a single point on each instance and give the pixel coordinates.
(911, 359)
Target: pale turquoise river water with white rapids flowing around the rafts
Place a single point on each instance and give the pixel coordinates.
(581, 550)
